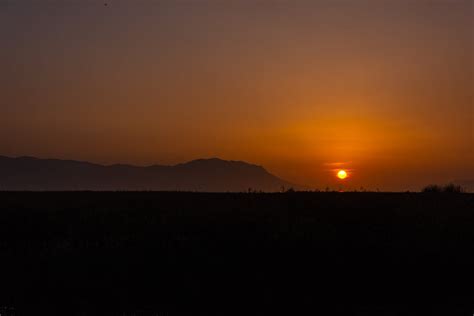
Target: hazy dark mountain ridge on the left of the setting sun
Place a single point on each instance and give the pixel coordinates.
(208, 175)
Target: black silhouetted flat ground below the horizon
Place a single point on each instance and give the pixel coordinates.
(236, 254)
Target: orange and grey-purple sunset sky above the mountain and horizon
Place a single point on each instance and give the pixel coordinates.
(382, 89)
